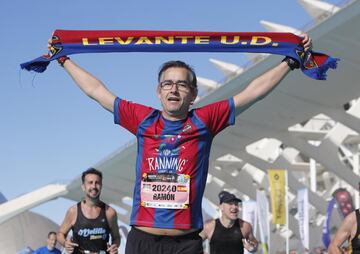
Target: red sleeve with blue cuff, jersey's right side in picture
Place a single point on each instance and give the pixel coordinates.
(217, 116)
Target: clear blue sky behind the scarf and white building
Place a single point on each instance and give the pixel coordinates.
(49, 131)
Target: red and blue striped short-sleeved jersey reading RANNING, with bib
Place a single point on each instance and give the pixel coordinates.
(172, 161)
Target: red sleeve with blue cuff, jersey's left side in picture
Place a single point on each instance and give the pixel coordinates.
(129, 115)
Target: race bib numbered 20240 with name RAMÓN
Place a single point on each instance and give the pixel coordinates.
(165, 190)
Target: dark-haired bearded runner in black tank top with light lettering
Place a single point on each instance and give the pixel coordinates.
(91, 221)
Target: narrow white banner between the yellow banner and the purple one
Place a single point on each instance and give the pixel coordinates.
(303, 216)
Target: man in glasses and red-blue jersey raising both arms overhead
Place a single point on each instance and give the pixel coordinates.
(173, 149)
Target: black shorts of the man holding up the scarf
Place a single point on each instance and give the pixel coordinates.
(140, 242)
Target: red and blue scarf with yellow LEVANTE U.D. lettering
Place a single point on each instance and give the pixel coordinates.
(68, 42)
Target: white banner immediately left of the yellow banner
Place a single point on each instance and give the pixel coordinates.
(263, 217)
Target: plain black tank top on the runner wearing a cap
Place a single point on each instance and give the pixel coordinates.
(226, 240)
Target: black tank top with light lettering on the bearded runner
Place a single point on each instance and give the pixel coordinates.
(91, 234)
